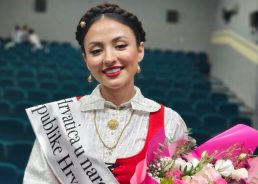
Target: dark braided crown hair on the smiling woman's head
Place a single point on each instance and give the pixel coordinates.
(112, 11)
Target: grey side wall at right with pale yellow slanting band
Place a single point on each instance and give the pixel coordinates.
(238, 70)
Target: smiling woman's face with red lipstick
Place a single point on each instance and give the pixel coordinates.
(111, 53)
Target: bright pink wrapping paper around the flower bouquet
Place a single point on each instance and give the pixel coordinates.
(241, 134)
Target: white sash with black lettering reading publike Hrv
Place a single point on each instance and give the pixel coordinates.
(60, 130)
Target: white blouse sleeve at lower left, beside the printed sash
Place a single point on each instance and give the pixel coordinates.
(37, 170)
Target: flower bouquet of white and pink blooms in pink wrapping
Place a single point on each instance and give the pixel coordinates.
(226, 158)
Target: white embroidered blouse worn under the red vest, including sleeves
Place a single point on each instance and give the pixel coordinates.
(132, 137)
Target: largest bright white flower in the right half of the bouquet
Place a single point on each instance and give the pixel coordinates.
(224, 167)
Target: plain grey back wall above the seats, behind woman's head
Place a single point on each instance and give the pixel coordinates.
(192, 32)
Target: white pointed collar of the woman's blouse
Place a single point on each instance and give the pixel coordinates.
(95, 101)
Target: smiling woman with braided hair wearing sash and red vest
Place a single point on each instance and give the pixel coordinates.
(103, 135)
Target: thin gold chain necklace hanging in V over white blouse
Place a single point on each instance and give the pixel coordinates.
(111, 148)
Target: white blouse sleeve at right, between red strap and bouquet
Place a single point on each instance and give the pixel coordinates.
(175, 126)
